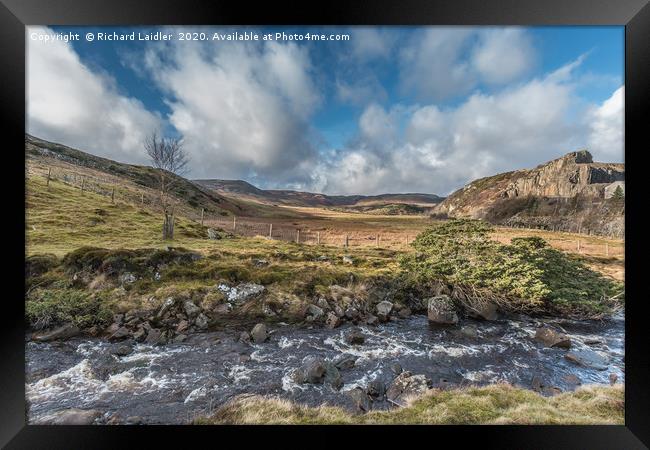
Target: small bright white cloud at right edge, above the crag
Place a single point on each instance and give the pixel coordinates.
(607, 140)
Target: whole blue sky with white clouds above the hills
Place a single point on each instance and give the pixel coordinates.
(389, 110)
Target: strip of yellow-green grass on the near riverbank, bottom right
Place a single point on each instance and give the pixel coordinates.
(496, 404)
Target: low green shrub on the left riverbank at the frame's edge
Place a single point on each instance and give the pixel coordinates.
(49, 307)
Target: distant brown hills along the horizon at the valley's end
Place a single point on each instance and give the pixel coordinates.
(243, 189)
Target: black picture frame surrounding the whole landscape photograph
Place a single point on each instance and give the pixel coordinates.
(16, 14)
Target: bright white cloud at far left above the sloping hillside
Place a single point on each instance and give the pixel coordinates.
(69, 103)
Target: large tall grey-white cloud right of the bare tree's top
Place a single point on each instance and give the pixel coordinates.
(242, 108)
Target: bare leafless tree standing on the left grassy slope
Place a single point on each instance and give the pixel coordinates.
(167, 155)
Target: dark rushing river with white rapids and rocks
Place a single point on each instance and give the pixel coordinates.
(175, 383)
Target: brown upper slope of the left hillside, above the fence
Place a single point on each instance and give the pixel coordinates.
(134, 181)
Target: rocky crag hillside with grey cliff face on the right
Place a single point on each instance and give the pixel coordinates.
(565, 194)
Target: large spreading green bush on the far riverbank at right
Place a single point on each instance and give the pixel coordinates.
(527, 274)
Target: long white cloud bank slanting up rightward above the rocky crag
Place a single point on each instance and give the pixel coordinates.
(440, 150)
